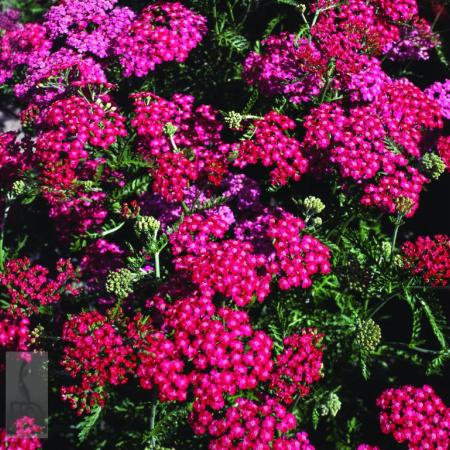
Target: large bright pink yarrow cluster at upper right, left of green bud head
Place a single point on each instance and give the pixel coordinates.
(373, 144)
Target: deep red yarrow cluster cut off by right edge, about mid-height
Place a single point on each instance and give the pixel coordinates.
(429, 258)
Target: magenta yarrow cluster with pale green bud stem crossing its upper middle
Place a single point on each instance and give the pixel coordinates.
(182, 140)
